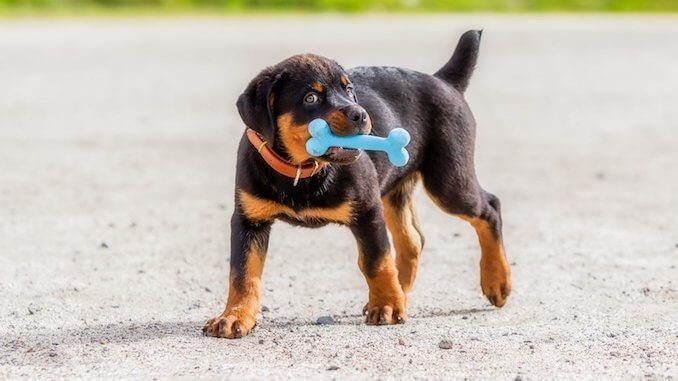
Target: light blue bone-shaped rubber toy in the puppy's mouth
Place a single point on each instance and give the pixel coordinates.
(394, 144)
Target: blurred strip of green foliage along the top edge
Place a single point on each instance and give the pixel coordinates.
(349, 5)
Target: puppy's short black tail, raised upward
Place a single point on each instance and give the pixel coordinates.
(457, 71)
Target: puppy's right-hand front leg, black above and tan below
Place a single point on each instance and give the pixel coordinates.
(386, 303)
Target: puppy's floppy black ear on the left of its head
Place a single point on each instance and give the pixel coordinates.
(255, 105)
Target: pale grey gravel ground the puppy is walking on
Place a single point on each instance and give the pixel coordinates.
(117, 147)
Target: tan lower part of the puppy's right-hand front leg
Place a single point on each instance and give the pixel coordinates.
(386, 299)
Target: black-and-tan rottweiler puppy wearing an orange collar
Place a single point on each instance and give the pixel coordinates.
(277, 179)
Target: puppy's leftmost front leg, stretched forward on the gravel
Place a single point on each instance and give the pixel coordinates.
(249, 242)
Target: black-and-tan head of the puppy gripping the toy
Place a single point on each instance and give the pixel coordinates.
(281, 101)
